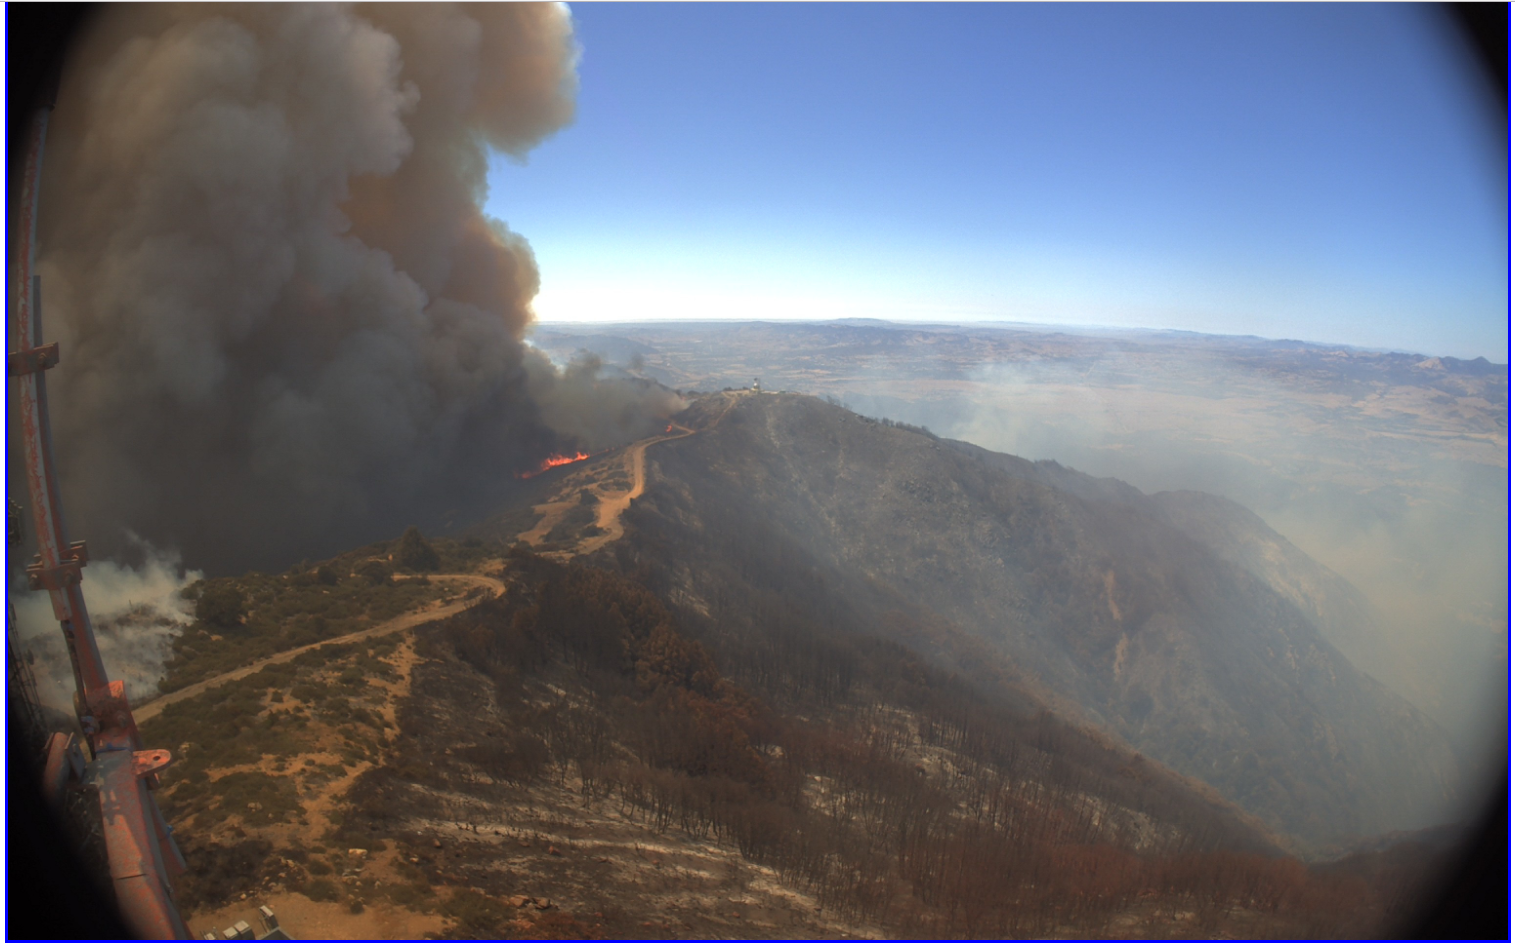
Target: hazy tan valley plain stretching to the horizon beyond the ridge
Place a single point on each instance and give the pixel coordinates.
(1390, 469)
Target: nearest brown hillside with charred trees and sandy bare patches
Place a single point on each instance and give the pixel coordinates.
(595, 756)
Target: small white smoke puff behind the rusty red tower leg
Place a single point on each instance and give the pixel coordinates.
(137, 613)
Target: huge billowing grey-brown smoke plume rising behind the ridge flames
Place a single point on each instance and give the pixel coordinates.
(287, 325)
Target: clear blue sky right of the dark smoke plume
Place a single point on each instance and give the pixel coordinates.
(1317, 172)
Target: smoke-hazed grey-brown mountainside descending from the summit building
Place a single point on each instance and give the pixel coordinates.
(1084, 587)
